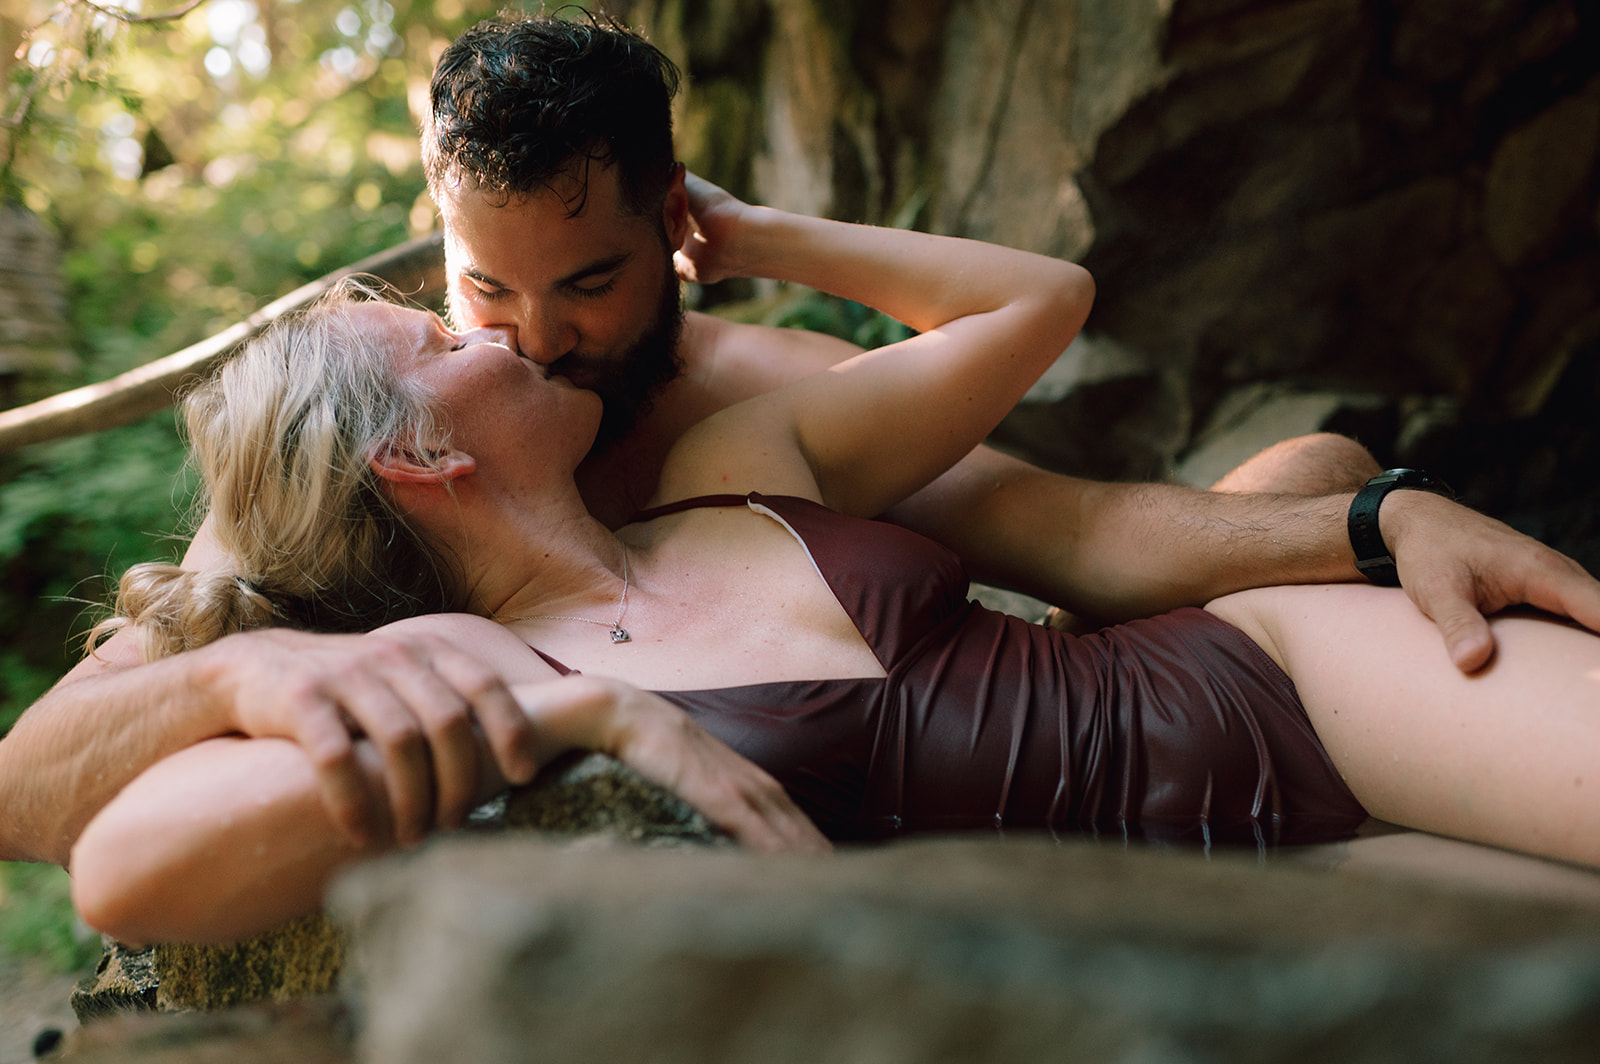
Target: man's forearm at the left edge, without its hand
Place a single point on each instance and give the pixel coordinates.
(86, 740)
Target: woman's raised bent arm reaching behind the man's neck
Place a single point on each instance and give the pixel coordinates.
(879, 426)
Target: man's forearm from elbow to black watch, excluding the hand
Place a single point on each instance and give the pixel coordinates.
(1118, 551)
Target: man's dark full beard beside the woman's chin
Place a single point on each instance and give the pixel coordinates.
(628, 383)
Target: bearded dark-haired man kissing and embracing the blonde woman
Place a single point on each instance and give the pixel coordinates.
(588, 284)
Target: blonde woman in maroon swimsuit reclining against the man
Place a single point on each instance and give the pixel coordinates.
(370, 466)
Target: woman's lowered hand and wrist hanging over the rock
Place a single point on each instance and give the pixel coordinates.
(658, 740)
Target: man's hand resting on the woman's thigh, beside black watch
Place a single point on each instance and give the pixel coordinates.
(1460, 566)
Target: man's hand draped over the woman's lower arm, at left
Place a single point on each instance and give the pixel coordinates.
(415, 697)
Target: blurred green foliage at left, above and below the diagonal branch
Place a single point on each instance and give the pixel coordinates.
(194, 172)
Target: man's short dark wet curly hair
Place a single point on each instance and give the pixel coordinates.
(518, 102)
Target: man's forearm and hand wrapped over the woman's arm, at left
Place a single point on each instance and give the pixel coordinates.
(420, 702)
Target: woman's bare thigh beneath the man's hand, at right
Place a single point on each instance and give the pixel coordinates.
(1510, 756)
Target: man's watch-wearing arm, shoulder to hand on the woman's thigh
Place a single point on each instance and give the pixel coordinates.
(1118, 551)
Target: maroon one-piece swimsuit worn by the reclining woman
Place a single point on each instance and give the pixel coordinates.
(1175, 729)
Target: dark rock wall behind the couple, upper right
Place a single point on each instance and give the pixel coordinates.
(1391, 207)
